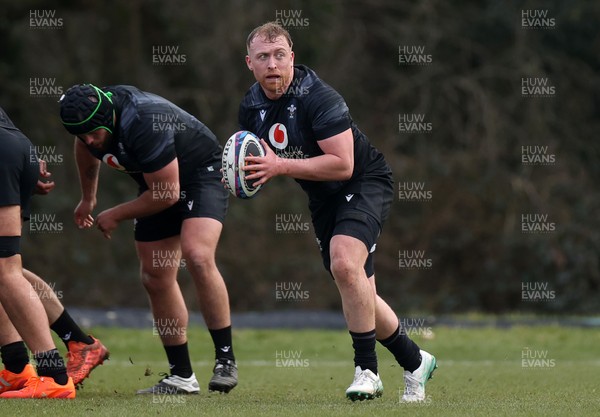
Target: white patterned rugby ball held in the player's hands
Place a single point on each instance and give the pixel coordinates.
(240, 145)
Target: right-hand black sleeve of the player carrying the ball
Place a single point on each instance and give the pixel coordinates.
(328, 111)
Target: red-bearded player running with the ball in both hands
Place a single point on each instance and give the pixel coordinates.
(311, 137)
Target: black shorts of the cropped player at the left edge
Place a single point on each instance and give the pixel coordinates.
(19, 170)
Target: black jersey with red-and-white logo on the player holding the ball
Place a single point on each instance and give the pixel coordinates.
(308, 112)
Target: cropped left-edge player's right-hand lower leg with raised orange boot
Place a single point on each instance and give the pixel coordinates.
(84, 351)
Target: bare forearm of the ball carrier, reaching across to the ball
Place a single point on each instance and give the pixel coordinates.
(319, 168)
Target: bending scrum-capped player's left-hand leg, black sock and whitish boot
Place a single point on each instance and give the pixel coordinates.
(159, 261)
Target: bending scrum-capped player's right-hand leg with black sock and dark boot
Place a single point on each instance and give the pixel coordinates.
(199, 239)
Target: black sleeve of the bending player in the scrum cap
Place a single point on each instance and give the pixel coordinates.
(153, 148)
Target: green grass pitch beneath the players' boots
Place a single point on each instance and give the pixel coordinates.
(480, 374)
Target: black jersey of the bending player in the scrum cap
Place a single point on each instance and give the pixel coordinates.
(151, 131)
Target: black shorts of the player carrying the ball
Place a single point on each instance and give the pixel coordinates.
(359, 211)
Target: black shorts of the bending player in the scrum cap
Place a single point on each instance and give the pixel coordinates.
(201, 195)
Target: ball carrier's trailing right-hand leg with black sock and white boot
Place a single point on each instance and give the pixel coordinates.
(418, 364)
